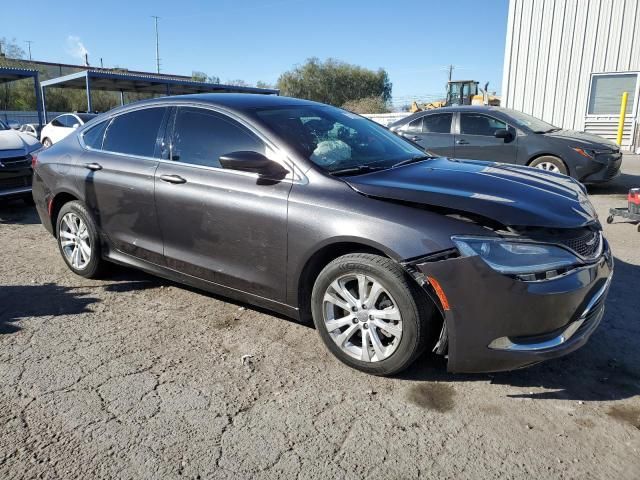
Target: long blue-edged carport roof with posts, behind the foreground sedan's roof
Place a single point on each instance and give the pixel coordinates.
(90, 80)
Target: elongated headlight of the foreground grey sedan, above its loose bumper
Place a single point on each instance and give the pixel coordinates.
(527, 261)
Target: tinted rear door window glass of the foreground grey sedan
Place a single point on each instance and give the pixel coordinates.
(134, 133)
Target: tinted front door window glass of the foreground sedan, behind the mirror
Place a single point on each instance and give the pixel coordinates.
(201, 137)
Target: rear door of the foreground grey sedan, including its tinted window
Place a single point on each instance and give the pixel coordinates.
(119, 167)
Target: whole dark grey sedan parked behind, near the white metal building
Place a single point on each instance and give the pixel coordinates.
(505, 135)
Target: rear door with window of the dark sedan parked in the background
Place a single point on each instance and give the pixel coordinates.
(432, 132)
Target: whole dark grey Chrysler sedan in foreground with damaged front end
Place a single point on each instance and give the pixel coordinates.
(313, 211)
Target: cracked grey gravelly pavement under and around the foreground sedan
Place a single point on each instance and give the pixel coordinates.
(137, 377)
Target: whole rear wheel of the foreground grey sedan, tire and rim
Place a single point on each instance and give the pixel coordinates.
(78, 240)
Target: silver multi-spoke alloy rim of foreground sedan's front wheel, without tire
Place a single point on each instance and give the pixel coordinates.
(362, 317)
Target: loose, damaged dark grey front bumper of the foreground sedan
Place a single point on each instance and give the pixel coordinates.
(494, 322)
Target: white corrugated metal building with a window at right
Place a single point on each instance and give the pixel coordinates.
(569, 61)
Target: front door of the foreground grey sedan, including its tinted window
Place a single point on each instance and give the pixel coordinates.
(224, 226)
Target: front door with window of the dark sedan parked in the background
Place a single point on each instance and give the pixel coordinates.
(476, 138)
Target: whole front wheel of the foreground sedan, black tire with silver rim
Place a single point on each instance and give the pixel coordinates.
(370, 314)
